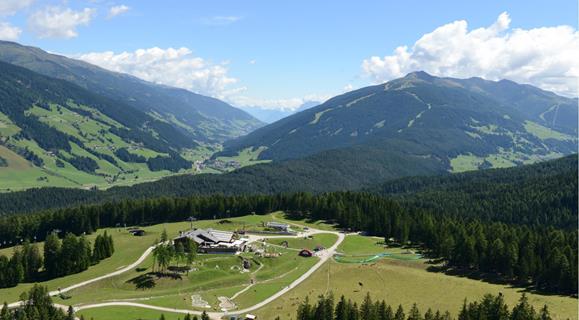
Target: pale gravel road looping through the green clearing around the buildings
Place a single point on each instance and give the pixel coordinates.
(324, 255)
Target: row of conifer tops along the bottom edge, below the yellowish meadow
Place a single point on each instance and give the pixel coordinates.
(489, 307)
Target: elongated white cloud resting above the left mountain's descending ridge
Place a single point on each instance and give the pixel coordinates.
(173, 67)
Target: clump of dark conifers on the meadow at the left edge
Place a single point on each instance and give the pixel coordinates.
(70, 255)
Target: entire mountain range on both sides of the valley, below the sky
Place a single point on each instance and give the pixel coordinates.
(67, 123)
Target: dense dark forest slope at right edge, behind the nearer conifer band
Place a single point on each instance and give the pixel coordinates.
(540, 194)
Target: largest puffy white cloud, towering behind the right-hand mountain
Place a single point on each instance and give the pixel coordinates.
(545, 57)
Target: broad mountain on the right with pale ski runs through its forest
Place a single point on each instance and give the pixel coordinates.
(464, 123)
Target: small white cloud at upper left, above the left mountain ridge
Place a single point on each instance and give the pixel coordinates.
(56, 22)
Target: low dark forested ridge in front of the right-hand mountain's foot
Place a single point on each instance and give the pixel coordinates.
(344, 169)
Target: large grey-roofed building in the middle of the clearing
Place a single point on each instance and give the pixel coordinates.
(214, 241)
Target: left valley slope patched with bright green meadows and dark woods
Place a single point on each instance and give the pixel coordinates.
(53, 133)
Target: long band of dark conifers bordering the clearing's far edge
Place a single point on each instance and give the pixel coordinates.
(541, 256)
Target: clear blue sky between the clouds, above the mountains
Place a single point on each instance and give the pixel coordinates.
(276, 50)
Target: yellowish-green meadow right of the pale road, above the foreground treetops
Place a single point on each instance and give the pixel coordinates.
(401, 282)
